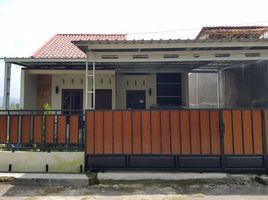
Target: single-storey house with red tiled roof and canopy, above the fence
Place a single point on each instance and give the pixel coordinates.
(133, 74)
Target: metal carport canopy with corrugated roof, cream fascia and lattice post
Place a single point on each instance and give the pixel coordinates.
(145, 56)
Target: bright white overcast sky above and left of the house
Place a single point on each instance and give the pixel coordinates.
(27, 24)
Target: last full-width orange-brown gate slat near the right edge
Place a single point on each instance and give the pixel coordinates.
(257, 132)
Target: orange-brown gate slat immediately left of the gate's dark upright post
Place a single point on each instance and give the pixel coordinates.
(215, 132)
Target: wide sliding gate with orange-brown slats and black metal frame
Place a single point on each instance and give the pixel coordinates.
(194, 140)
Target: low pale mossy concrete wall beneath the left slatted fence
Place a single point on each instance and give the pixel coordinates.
(22, 161)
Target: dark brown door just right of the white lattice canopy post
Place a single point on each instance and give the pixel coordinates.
(103, 99)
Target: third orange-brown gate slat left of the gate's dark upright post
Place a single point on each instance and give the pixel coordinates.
(195, 132)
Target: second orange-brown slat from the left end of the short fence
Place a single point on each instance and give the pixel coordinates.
(14, 129)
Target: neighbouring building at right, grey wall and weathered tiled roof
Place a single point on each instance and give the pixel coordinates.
(241, 85)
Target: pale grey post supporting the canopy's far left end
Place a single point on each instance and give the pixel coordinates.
(7, 79)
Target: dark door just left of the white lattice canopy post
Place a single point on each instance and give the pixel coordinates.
(72, 101)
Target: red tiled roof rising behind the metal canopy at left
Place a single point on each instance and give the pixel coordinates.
(60, 45)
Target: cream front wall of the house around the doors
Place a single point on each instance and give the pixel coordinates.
(119, 83)
